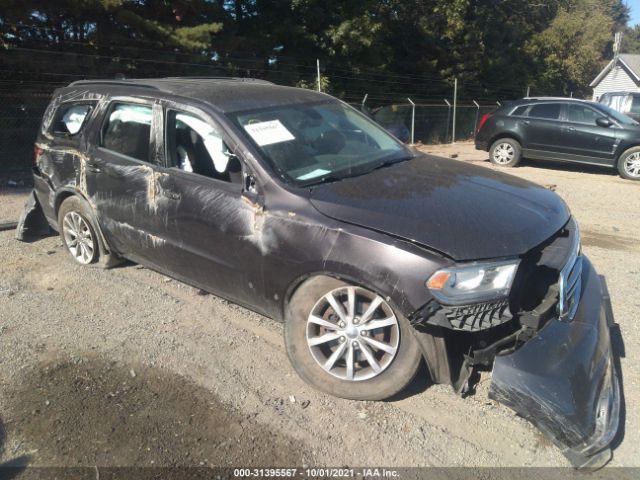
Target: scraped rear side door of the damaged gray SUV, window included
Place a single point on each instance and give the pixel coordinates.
(121, 176)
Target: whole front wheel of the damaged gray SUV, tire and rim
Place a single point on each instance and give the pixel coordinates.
(362, 382)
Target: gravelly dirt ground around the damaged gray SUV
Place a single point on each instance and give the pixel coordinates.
(127, 367)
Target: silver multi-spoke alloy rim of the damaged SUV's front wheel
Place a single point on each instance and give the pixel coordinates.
(353, 333)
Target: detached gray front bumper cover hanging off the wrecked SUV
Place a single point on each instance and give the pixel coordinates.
(564, 379)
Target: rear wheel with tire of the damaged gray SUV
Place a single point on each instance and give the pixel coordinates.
(78, 232)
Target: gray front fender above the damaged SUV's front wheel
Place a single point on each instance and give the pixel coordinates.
(392, 268)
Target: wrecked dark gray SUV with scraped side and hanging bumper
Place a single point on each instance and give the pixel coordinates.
(295, 205)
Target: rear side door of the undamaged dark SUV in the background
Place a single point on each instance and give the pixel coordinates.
(542, 130)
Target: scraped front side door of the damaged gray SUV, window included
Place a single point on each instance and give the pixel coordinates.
(218, 231)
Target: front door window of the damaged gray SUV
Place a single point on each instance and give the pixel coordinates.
(196, 146)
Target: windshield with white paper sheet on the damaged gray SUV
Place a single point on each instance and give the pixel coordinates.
(319, 142)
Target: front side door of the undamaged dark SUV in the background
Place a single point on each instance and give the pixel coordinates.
(584, 140)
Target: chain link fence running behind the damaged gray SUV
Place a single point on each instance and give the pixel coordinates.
(29, 78)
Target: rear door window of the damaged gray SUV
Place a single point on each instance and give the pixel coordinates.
(128, 130)
